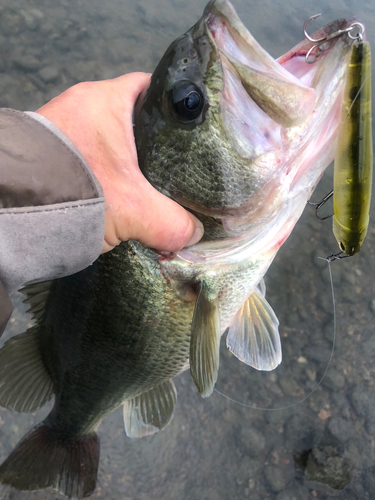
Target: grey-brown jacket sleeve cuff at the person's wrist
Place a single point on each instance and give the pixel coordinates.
(51, 205)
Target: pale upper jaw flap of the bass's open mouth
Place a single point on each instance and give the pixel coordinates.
(286, 99)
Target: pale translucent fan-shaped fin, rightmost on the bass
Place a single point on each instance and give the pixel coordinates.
(254, 336)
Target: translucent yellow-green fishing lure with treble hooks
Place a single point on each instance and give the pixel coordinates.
(354, 155)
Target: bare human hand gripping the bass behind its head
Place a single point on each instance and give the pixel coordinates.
(97, 118)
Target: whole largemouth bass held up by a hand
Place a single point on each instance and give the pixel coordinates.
(239, 139)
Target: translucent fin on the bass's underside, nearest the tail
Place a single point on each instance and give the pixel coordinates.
(151, 411)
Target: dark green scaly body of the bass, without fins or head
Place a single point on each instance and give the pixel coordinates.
(141, 343)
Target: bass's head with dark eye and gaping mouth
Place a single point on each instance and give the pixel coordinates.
(235, 136)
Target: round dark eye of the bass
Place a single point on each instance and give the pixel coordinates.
(188, 100)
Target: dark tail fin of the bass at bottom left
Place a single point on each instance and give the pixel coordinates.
(42, 459)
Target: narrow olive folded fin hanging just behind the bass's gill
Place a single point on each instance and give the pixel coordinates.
(205, 341)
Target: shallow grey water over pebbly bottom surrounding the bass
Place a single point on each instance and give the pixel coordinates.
(215, 449)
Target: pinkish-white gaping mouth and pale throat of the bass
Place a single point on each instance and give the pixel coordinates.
(281, 116)
